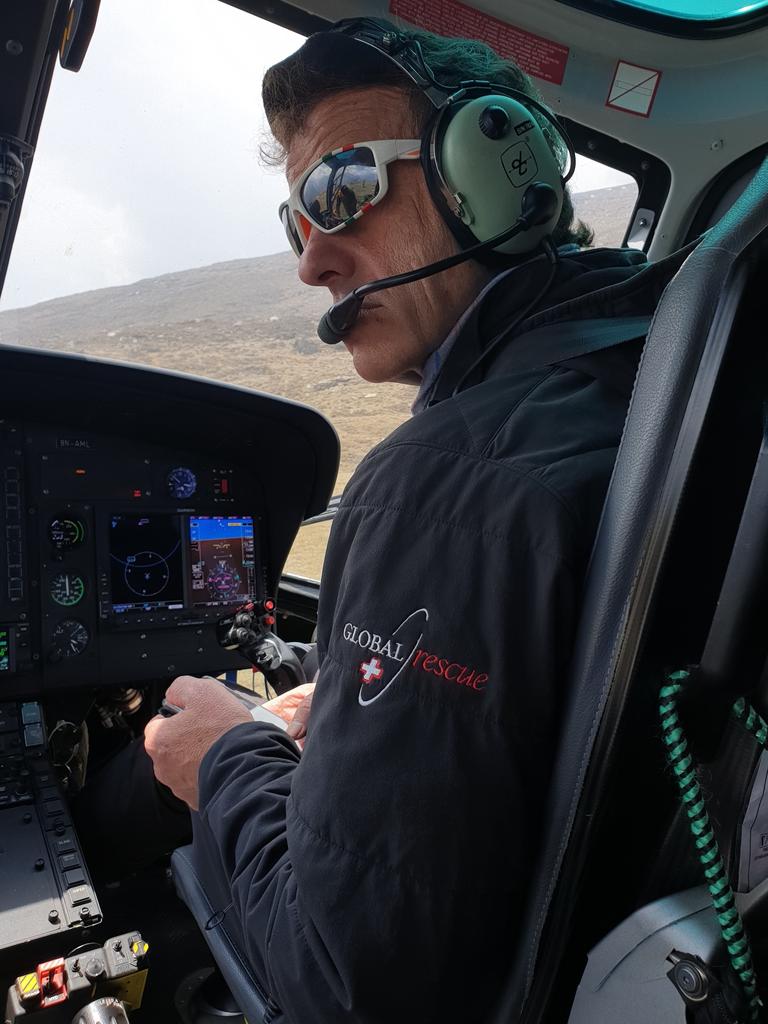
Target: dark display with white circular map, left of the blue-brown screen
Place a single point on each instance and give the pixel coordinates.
(146, 563)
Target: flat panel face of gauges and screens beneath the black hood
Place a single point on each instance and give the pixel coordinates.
(118, 560)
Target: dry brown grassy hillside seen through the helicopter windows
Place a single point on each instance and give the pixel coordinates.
(250, 323)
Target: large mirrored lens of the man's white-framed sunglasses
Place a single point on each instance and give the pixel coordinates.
(340, 187)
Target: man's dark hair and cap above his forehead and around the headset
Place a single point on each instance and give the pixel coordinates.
(332, 63)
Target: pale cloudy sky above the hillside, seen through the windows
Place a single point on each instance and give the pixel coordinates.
(148, 160)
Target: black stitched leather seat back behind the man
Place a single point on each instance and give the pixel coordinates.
(616, 671)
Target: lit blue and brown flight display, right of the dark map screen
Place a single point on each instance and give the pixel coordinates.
(222, 560)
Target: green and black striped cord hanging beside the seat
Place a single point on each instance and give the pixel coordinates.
(708, 850)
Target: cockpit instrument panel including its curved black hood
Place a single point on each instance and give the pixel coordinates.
(138, 514)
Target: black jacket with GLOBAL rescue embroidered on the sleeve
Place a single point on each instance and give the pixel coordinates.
(379, 878)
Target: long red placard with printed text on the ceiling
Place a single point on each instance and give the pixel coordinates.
(536, 56)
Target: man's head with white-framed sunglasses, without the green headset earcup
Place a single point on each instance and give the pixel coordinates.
(374, 202)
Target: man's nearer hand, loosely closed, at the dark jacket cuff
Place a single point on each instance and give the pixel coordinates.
(178, 745)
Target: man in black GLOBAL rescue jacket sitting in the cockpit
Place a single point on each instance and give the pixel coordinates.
(381, 875)
